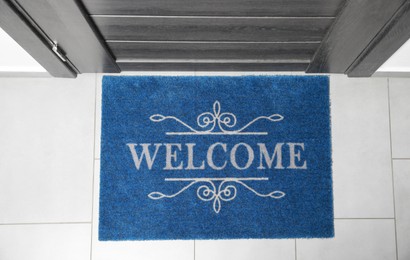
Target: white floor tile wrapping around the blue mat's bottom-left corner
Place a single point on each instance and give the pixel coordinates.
(131, 250)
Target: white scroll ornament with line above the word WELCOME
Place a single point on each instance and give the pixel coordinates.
(209, 122)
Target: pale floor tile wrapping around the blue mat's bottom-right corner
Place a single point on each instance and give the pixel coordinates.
(354, 240)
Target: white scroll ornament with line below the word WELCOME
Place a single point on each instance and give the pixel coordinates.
(208, 191)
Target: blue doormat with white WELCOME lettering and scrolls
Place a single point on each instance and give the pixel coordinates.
(215, 158)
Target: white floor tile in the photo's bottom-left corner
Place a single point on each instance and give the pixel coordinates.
(45, 242)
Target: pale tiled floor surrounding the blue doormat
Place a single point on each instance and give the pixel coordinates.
(49, 177)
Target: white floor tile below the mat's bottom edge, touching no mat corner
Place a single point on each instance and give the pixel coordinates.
(245, 249)
